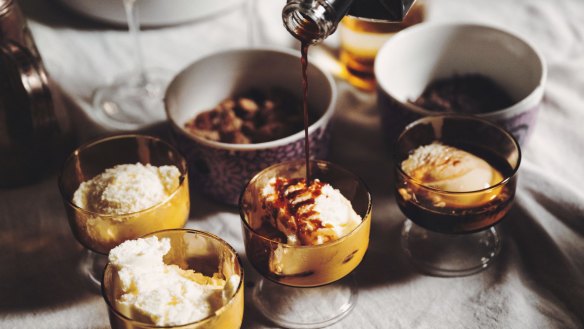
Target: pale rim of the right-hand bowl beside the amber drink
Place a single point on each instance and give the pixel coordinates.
(522, 104)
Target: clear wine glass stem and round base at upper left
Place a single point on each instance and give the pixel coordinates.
(134, 100)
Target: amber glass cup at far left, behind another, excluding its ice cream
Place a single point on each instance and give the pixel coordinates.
(99, 233)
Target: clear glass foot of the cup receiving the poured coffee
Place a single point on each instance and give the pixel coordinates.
(291, 307)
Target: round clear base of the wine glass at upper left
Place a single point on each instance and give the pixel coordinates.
(132, 102)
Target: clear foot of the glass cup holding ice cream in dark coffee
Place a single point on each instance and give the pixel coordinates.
(449, 255)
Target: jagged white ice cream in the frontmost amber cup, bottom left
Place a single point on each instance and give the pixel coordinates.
(165, 295)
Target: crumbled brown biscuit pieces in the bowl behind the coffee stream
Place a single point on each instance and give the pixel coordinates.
(253, 117)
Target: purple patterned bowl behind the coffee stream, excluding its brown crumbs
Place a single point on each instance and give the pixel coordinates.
(221, 170)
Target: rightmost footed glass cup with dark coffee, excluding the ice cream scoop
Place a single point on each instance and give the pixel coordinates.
(450, 233)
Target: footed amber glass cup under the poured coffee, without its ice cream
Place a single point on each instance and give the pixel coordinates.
(298, 278)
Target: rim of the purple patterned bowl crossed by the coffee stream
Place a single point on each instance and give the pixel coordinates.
(321, 122)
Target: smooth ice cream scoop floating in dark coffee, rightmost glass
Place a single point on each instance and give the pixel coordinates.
(450, 169)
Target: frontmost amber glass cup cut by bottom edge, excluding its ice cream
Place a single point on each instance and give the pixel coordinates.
(190, 249)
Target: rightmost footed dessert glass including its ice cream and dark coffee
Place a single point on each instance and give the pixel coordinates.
(450, 229)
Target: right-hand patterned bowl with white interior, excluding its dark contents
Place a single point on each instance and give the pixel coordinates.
(413, 58)
